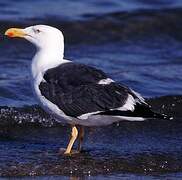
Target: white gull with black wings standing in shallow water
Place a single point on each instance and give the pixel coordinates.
(75, 93)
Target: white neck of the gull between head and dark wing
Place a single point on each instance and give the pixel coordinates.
(45, 59)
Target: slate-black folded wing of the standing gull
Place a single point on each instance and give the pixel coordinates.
(75, 90)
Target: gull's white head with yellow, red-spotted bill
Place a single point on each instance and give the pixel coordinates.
(42, 36)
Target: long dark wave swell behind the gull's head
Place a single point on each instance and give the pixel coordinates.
(113, 26)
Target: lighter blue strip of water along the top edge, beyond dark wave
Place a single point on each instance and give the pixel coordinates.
(72, 10)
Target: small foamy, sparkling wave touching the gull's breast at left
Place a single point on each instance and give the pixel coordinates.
(25, 116)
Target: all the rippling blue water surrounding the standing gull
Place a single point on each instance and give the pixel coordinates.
(137, 43)
